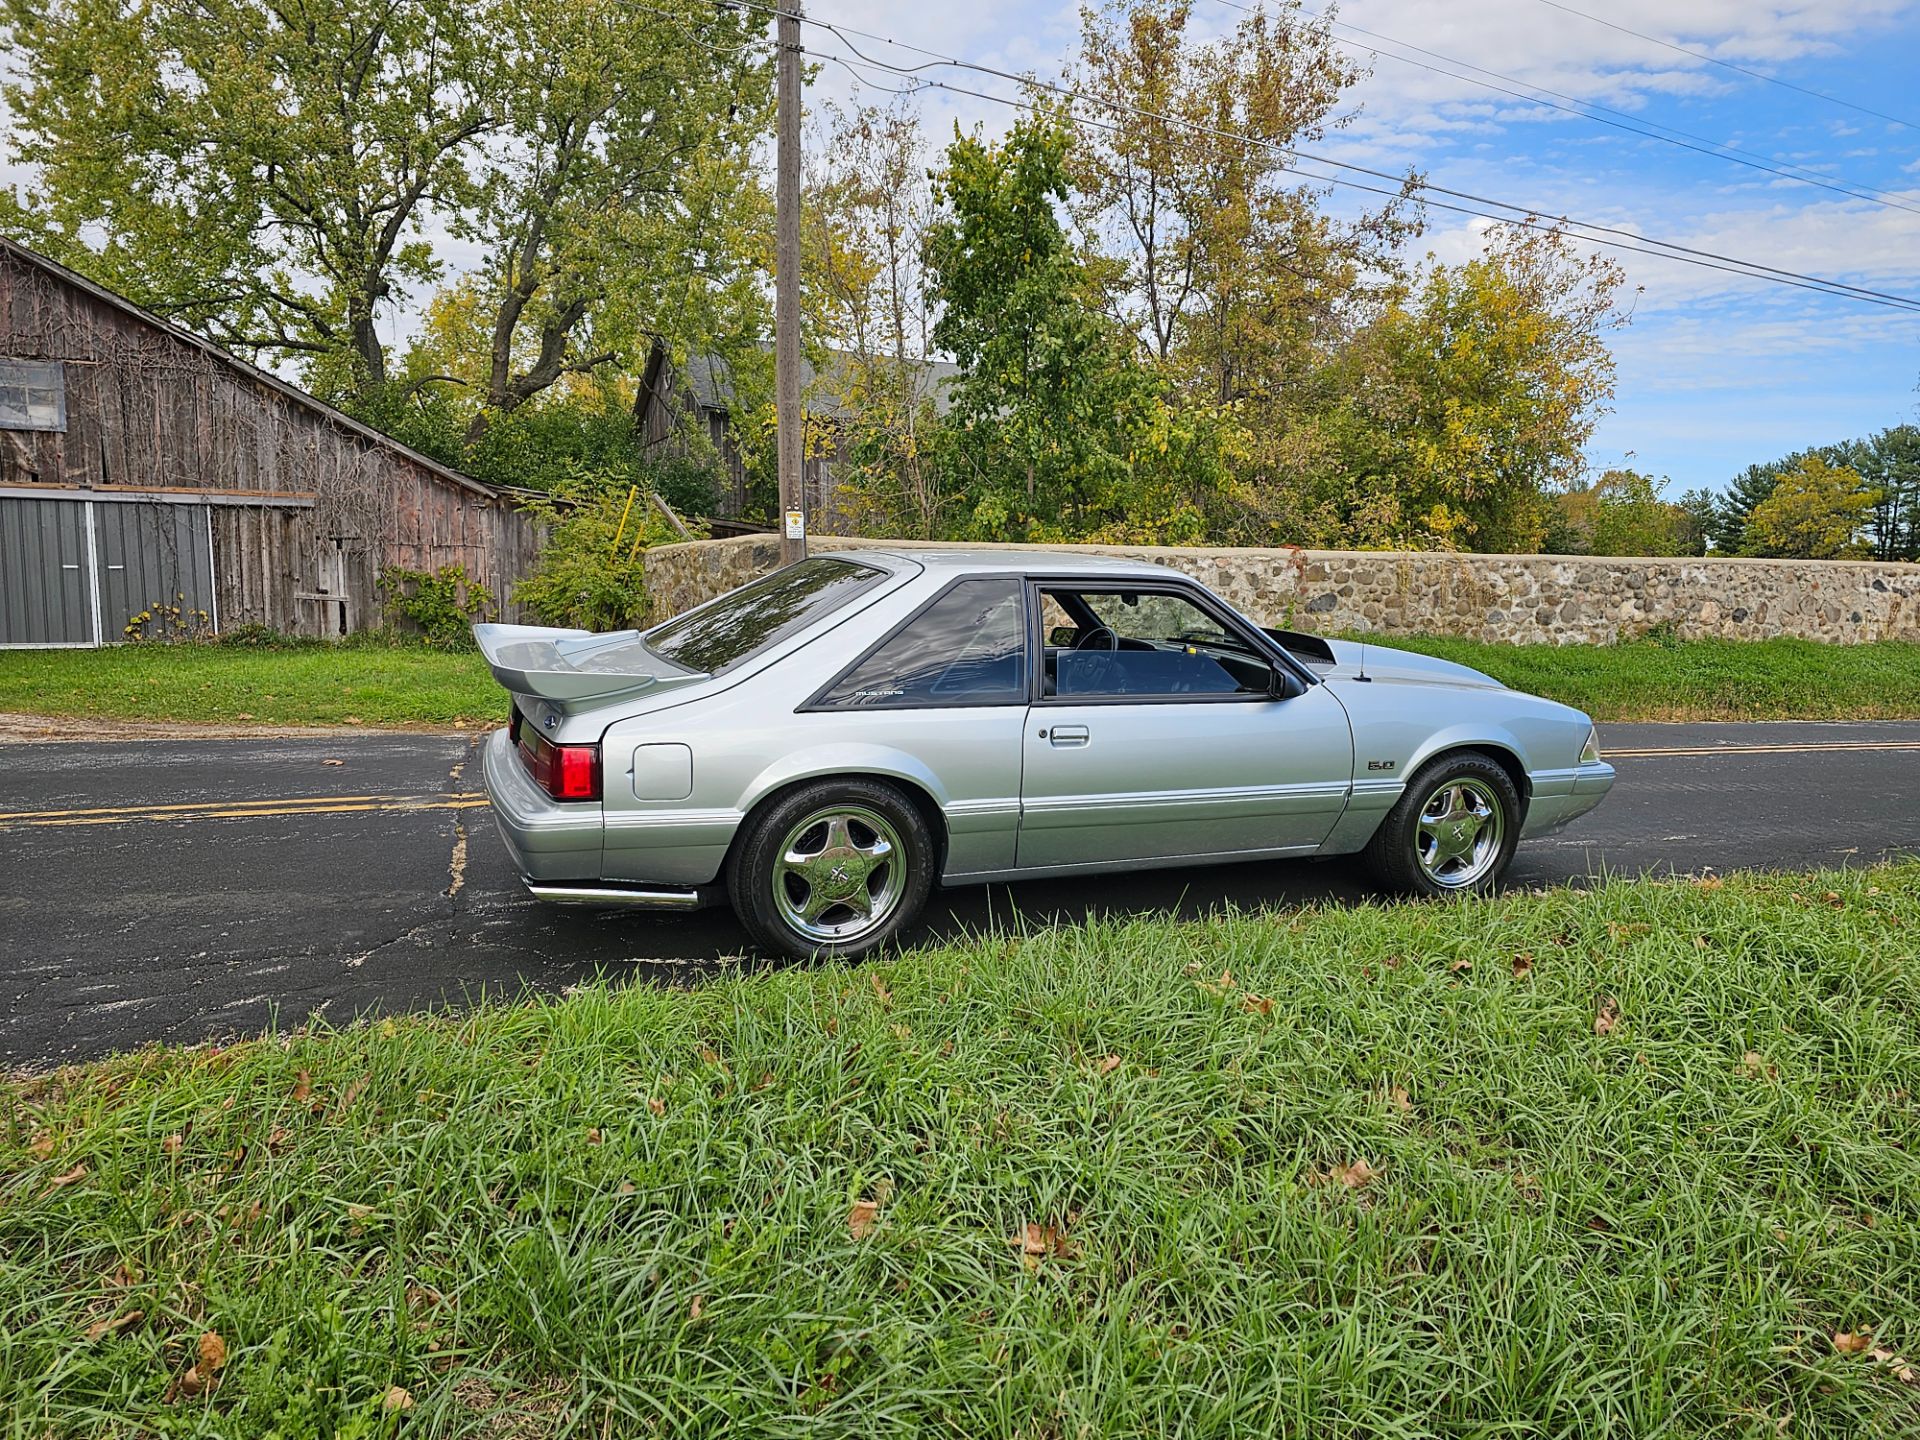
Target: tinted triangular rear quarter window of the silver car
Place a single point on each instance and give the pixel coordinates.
(967, 648)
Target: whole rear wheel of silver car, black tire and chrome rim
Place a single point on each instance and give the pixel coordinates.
(838, 867)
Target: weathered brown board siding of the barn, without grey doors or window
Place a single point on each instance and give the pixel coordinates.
(151, 410)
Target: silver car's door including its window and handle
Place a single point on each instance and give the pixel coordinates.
(1161, 742)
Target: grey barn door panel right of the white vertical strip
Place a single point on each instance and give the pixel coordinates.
(155, 556)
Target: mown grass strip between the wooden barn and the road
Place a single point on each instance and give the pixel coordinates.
(312, 684)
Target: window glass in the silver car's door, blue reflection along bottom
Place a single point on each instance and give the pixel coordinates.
(1145, 646)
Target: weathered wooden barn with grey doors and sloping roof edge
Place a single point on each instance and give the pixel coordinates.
(143, 464)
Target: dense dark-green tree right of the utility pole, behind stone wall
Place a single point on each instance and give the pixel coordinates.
(1034, 412)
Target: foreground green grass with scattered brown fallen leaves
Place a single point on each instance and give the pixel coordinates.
(629, 1212)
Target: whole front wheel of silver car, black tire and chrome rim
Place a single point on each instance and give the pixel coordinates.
(1452, 832)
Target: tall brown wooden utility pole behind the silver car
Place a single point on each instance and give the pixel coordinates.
(788, 289)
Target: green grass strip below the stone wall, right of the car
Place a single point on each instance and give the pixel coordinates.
(1702, 679)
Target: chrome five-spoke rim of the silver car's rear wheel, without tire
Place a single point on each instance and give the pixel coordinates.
(840, 873)
